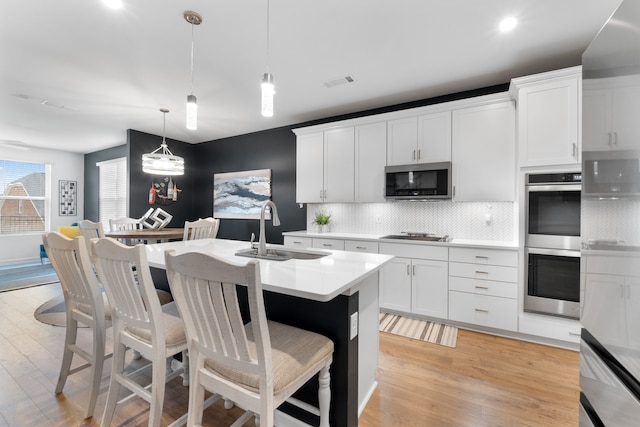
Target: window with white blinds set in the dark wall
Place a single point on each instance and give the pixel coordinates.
(113, 190)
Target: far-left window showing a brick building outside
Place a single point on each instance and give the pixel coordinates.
(23, 197)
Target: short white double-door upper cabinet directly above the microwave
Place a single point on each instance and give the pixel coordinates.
(421, 139)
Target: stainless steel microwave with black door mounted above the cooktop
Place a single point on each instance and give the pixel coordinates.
(421, 181)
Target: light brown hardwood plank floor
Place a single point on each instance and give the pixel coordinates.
(484, 381)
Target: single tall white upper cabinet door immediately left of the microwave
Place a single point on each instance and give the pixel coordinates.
(370, 160)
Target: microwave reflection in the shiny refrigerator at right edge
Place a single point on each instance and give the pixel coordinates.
(609, 174)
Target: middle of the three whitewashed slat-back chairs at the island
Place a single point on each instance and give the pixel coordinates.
(139, 322)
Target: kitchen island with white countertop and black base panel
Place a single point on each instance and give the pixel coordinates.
(335, 295)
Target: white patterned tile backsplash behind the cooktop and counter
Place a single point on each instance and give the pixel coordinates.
(459, 220)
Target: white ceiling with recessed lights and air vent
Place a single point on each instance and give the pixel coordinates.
(102, 71)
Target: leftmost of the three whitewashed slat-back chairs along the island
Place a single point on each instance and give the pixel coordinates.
(84, 304)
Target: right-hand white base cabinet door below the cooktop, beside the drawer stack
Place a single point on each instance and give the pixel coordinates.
(430, 288)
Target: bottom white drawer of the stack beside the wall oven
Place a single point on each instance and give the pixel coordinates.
(484, 310)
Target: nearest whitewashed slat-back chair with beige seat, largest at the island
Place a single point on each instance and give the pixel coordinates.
(258, 365)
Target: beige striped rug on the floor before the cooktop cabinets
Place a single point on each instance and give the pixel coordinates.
(430, 332)
